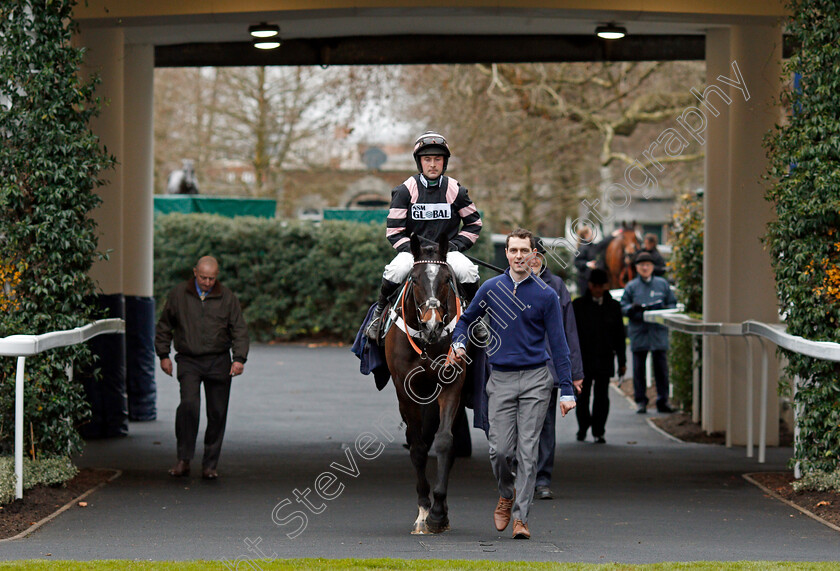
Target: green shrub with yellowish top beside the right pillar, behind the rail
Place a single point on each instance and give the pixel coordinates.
(686, 268)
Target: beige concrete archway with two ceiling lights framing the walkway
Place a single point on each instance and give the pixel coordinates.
(740, 40)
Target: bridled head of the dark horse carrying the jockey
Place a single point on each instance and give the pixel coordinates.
(432, 290)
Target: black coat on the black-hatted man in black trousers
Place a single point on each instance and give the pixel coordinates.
(601, 334)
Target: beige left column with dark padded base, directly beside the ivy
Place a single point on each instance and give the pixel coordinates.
(109, 410)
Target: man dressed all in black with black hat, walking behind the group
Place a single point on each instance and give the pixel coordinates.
(601, 335)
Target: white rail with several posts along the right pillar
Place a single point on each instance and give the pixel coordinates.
(775, 333)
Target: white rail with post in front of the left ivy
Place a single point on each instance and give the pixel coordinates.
(23, 346)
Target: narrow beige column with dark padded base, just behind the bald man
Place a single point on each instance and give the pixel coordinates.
(138, 231)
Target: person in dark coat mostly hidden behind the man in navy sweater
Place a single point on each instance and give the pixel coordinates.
(545, 460)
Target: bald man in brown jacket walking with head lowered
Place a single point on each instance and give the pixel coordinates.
(205, 321)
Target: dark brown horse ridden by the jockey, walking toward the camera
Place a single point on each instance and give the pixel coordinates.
(417, 354)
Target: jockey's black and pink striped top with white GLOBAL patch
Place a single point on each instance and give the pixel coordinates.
(432, 212)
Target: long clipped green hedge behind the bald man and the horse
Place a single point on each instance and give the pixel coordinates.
(294, 279)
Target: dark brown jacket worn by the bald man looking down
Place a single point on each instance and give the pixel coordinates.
(207, 327)
